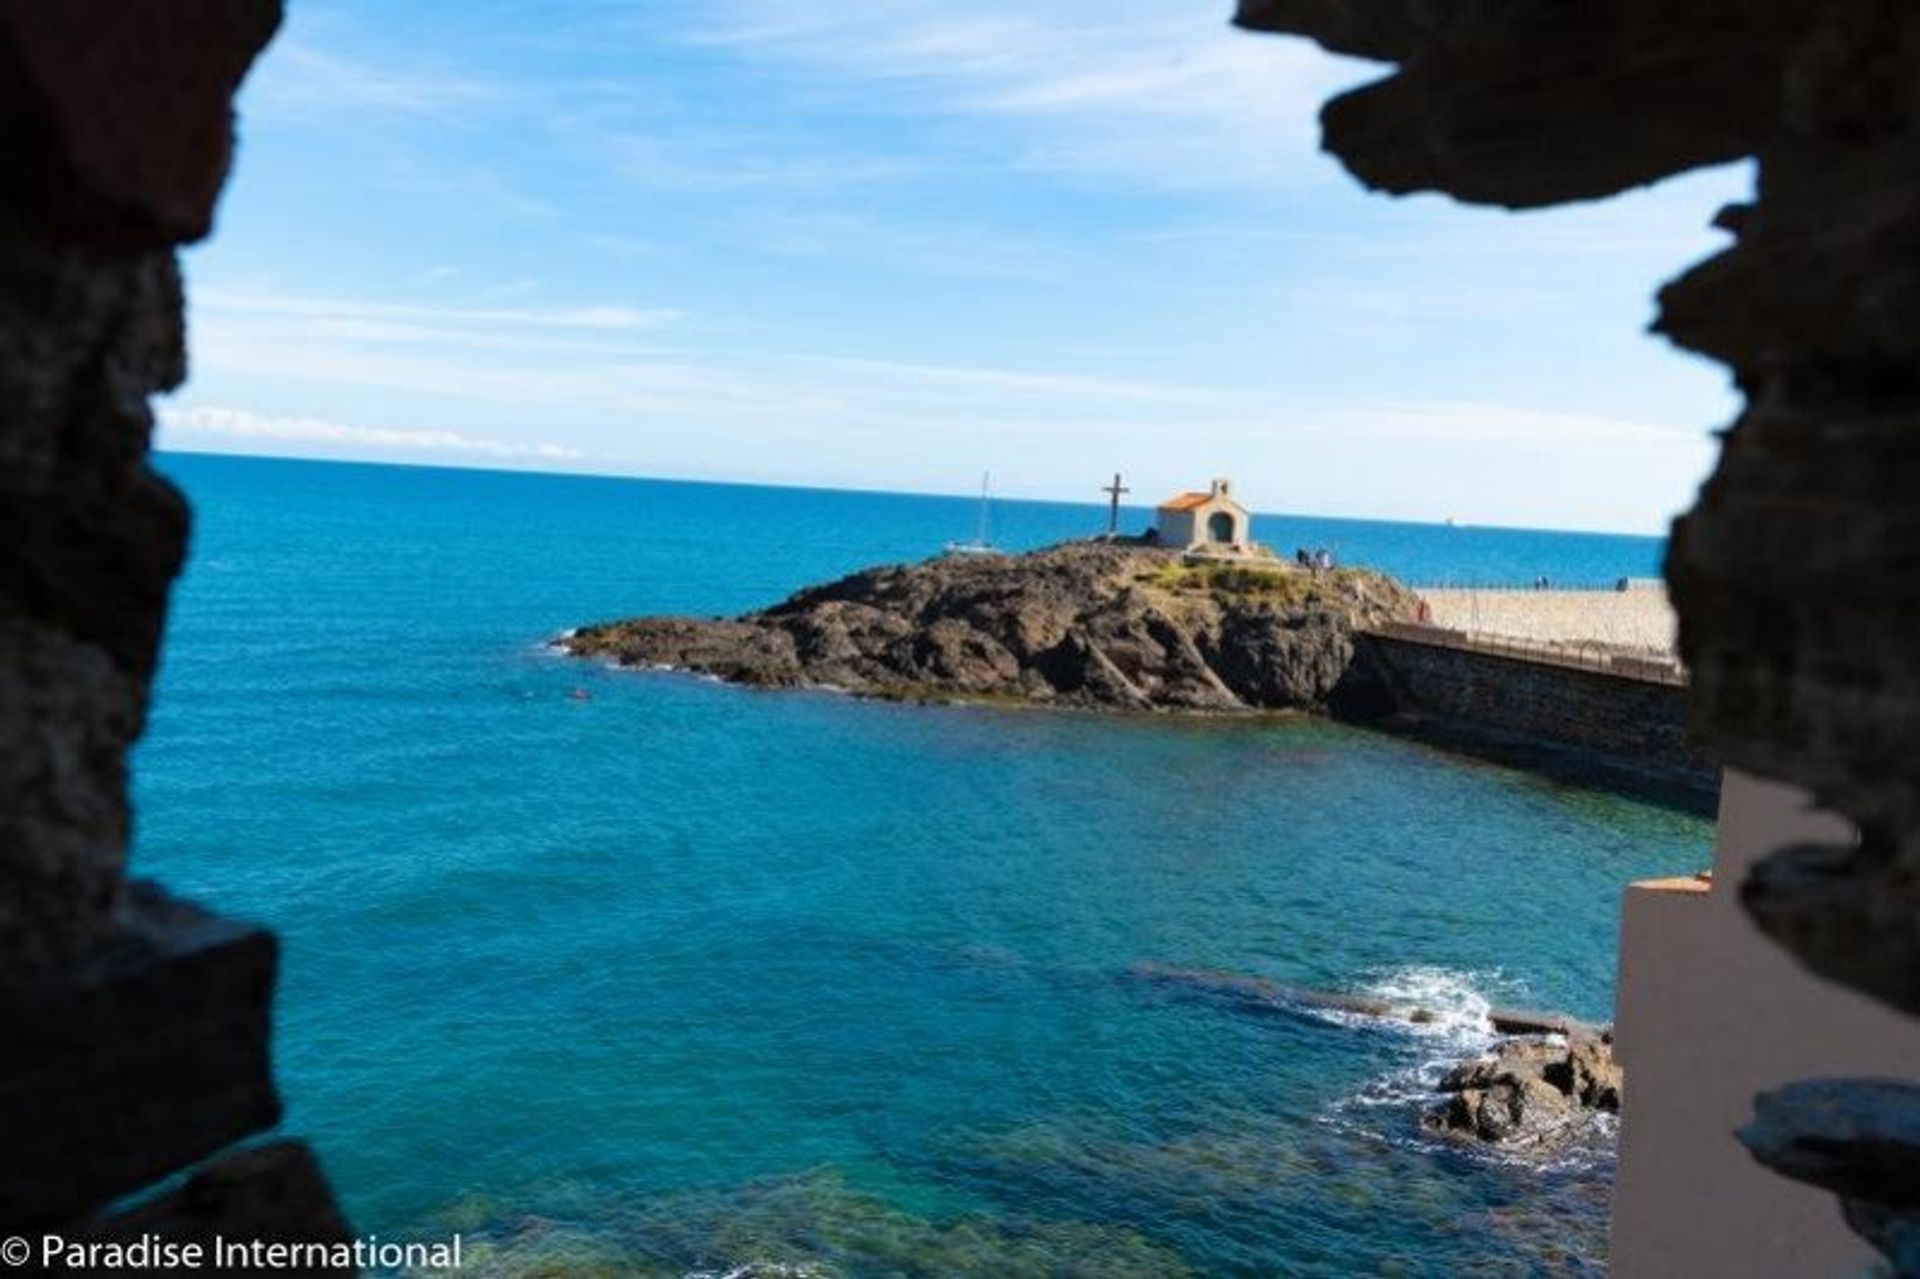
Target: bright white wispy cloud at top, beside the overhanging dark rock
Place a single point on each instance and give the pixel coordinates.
(1122, 89)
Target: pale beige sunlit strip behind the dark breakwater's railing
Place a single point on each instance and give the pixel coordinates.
(1635, 619)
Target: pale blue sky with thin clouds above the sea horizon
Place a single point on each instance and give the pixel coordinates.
(900, 245)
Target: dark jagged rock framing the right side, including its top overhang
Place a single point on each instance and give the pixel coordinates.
(1796, 575)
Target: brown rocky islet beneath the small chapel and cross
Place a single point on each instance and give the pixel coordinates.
(1078, 625)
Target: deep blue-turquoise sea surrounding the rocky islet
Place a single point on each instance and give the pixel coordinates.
(688, 980)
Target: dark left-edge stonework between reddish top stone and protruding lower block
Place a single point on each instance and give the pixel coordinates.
(89, 544)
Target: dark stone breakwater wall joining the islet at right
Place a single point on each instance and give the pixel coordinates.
(1616, 725)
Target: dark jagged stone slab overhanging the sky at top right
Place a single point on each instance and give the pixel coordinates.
(1489, 97)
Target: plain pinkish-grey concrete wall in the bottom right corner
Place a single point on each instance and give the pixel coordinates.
(1712, 1013)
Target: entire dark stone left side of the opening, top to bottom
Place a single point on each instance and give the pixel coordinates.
(137, 1028)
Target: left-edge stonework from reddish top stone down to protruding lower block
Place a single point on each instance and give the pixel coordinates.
(120, 130)
